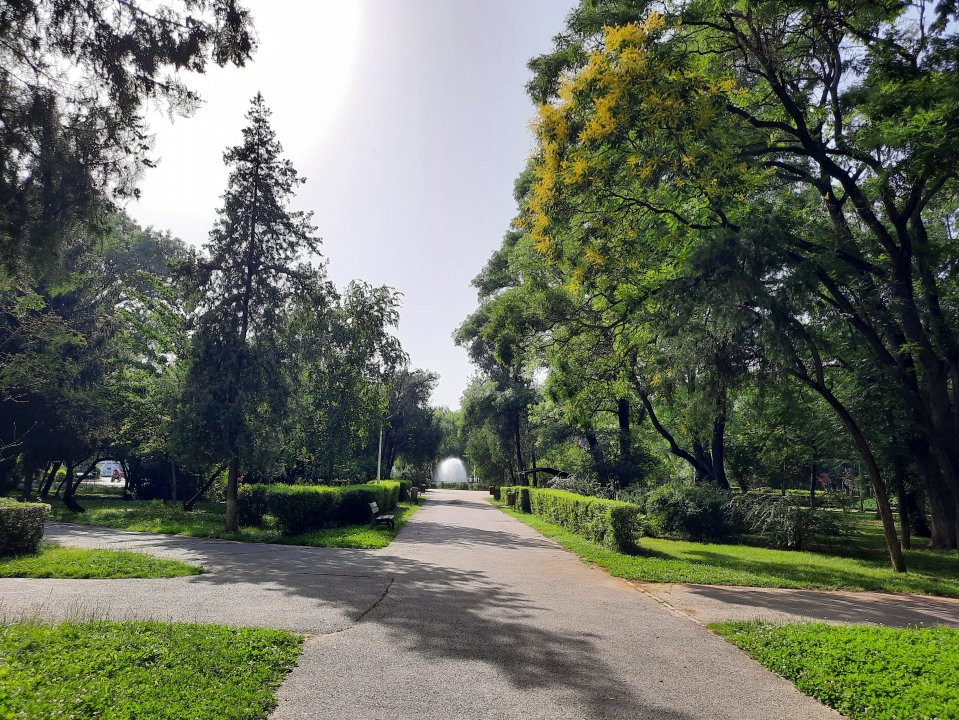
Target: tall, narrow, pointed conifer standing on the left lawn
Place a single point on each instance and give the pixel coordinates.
(257, 250)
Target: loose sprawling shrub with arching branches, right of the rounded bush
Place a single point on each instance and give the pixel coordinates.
(780, 522)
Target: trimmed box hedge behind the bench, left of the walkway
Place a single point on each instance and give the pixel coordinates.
(303, 508)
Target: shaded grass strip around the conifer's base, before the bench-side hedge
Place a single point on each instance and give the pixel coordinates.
(207, 521)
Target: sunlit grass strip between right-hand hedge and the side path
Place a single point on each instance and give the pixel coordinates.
(676, 561)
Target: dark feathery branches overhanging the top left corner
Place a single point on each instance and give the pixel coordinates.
(76, 80)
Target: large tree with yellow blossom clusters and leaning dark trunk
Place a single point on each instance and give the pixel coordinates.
(798, 146)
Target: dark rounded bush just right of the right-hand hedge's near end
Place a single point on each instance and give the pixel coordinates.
(694, 511)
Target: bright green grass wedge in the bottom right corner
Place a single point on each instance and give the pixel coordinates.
(867, 673)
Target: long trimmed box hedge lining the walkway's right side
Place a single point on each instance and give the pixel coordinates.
(612, 523)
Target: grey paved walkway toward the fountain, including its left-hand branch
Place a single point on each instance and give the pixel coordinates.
(469, 614)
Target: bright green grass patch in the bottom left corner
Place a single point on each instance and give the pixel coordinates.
(142, 670)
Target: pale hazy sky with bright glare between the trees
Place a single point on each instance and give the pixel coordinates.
(410, 122)
